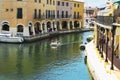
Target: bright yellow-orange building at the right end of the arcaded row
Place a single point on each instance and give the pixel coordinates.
(77, 13)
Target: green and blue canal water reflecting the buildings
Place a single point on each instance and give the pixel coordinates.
(40, 61)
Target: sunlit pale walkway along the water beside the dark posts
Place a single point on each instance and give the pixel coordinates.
(98, 68)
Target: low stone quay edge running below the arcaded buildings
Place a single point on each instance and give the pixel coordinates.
(33, 38)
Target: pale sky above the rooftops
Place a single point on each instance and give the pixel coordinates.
(94, 3)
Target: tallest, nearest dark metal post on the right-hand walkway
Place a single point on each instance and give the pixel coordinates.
(113, 35)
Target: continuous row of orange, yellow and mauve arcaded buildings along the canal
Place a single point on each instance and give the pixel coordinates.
(32, 17)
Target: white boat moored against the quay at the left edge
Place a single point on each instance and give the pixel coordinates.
(7, 38)
